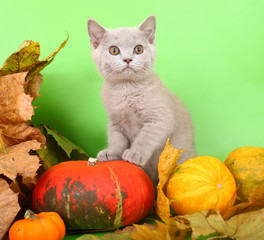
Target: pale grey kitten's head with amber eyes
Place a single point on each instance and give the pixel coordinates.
(123, 53)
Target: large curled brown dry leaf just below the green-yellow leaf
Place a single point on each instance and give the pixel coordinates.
(16, 110)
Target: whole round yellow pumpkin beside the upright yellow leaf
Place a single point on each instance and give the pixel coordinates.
(199, 184)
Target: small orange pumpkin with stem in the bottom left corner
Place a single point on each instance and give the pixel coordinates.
(42, 226)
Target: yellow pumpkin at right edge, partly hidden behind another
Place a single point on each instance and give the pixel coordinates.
(247, 166)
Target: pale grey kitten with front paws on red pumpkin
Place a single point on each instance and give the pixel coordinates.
(142, 112)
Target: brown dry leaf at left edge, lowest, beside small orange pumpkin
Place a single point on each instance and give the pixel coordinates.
(9, 207)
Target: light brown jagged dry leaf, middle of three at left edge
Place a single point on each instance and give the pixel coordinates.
(18, 161)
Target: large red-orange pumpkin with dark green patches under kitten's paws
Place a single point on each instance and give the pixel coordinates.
(104, 196)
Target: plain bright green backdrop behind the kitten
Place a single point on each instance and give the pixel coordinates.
(210, 52)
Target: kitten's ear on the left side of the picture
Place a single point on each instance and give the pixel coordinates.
(96, 32)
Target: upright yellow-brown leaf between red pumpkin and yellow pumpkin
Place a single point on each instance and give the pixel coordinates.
(167, 164)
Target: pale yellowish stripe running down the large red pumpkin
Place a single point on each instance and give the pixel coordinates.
(119, 207)
